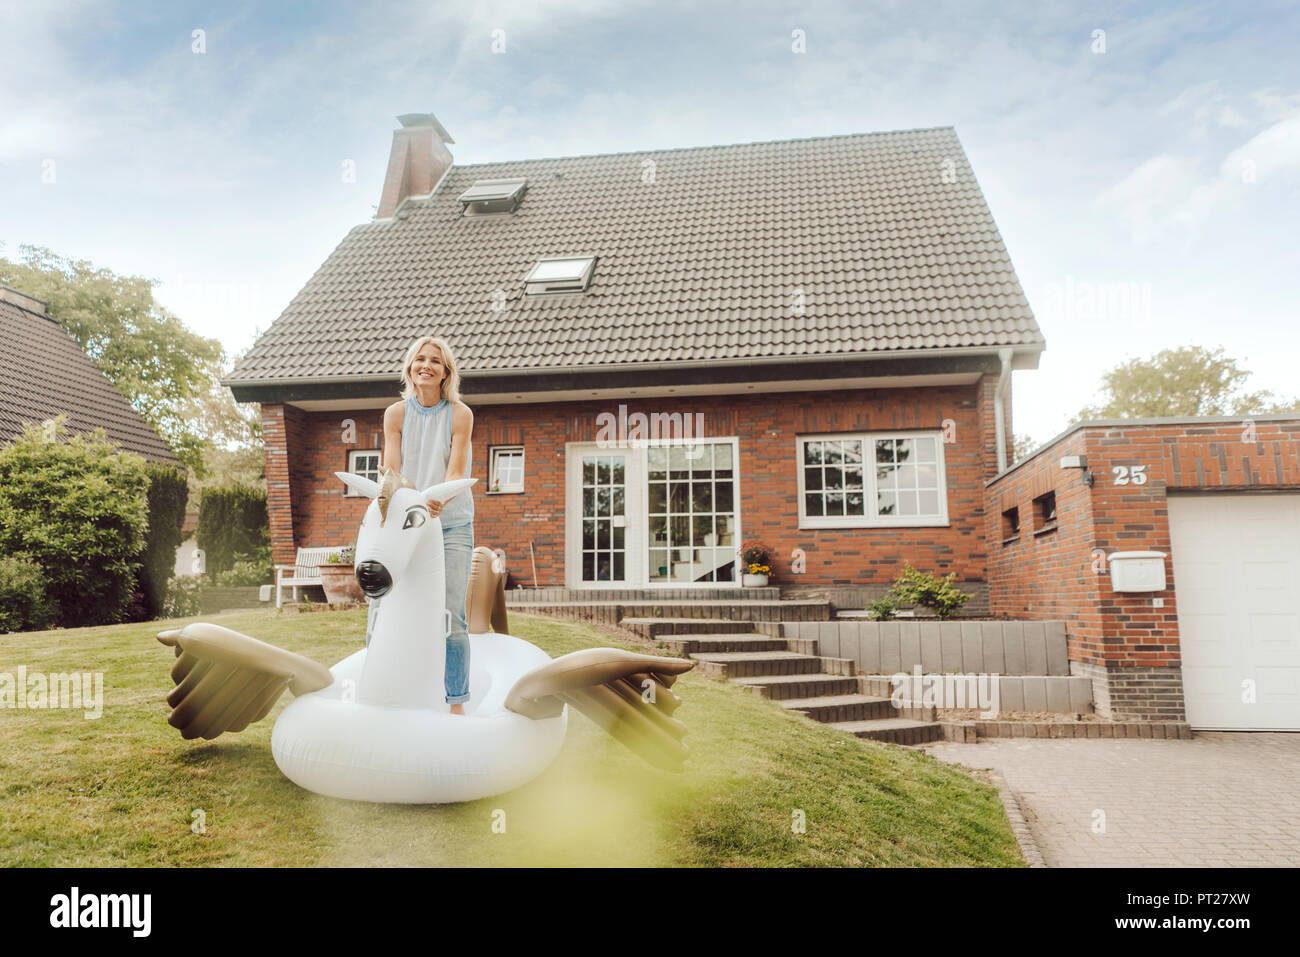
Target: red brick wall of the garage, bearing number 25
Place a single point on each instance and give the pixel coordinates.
(1055, 575)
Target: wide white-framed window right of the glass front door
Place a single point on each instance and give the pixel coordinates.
(873, 479)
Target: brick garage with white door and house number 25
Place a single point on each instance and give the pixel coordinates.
(1217, 636)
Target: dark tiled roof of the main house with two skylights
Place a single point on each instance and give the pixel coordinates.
(703, 263)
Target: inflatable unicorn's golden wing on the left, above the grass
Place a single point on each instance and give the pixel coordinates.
(227, 681)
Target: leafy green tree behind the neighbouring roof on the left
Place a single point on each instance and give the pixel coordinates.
(164, 370)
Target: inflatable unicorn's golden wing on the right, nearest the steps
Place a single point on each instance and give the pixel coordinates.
(625, 694)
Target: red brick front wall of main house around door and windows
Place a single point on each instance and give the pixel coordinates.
(766, 427)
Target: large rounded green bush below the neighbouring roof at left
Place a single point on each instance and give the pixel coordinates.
(79, 509)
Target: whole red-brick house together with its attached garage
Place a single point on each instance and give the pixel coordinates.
(804, 310)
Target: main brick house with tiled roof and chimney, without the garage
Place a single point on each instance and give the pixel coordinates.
(798, 309)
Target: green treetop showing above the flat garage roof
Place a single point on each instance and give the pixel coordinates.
(1184, 382)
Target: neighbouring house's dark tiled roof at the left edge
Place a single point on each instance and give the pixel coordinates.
(44, 374)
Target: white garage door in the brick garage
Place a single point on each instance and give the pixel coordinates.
(1237, 581)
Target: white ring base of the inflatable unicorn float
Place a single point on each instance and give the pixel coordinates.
(363, 752)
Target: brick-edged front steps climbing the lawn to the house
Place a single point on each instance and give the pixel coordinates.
(755, 656)
